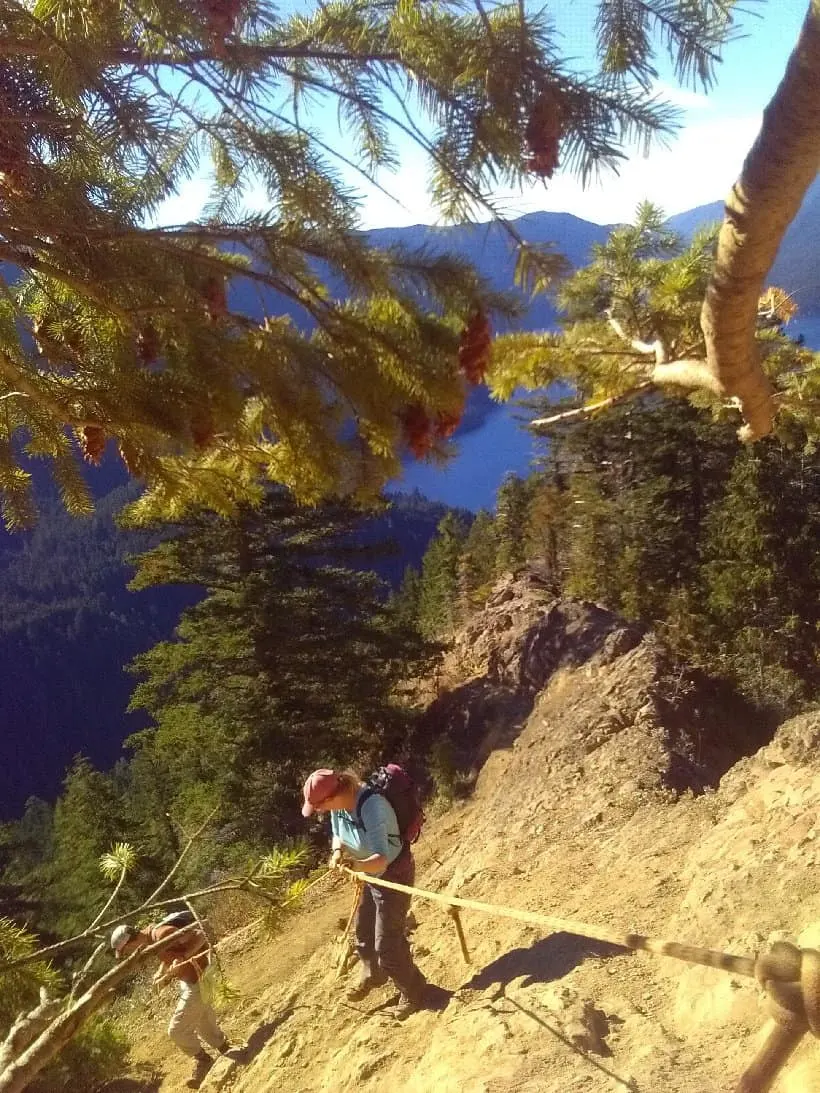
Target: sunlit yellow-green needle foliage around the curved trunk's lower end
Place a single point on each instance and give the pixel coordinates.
(634, 312)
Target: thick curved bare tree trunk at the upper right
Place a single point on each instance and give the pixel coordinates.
(781, 167)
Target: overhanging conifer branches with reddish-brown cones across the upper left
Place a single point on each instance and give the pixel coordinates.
(213, 355)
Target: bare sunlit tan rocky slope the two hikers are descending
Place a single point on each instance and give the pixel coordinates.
(612, 794)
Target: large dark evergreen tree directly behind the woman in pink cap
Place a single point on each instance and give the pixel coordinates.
(291, 662)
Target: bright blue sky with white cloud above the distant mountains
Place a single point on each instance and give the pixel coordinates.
(699, 166)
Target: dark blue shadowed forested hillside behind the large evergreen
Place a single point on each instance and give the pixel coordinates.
(69, 628)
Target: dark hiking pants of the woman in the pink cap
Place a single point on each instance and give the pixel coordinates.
(381, 937)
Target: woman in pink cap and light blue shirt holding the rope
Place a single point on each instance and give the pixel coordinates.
(367, 838)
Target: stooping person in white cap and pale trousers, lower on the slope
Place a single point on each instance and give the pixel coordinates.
(194, 1020)
